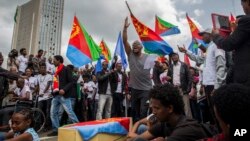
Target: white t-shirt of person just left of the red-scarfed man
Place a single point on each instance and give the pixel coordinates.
(42, 82)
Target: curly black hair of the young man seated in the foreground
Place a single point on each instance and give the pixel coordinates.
(168, 95)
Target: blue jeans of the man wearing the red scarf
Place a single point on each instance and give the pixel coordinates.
(56, 103)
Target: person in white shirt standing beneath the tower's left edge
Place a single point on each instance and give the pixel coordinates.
(22, 61)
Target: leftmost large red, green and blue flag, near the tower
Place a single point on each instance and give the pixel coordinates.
(81, 49)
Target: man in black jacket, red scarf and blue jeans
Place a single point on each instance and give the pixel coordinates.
(62, 87)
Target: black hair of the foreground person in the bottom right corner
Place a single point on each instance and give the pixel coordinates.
(232, 104)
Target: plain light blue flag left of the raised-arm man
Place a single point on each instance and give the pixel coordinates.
(120, 51)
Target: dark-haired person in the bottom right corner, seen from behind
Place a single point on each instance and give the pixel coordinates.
(231, 106)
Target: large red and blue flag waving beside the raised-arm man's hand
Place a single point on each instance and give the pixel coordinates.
(151, 41)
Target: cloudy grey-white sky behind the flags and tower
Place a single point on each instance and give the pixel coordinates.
(104, 19)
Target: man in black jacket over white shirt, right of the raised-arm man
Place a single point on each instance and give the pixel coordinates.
(181, 78)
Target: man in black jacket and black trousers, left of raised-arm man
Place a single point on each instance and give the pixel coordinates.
(118, 85)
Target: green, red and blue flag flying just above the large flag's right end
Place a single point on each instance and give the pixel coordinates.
(164, 28)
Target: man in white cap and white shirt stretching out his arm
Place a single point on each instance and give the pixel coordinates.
(214, 71)
